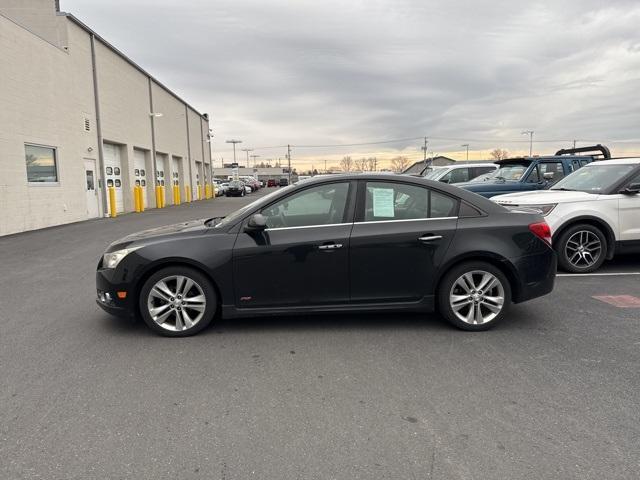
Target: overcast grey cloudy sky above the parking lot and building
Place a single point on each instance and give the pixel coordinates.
(336, 72)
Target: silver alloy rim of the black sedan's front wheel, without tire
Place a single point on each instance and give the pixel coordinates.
(176, 303)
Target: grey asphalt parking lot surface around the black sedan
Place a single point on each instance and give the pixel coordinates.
(553, 392)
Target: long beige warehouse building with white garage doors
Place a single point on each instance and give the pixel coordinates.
(77, 116)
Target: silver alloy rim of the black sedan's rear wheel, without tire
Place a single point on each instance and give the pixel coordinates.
(477, 297)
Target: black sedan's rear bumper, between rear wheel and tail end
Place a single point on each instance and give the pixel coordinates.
(536, 275)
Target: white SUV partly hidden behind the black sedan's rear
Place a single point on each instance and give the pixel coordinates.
(593, 213)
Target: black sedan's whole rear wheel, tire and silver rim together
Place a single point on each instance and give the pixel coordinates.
(460, 306)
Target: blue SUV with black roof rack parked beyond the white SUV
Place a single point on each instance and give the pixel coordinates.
(534, 173)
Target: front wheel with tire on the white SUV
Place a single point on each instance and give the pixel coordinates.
(594, 248)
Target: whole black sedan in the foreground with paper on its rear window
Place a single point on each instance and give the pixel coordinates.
(350, 243)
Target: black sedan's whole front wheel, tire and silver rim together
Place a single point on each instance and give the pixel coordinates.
(174, 320)
